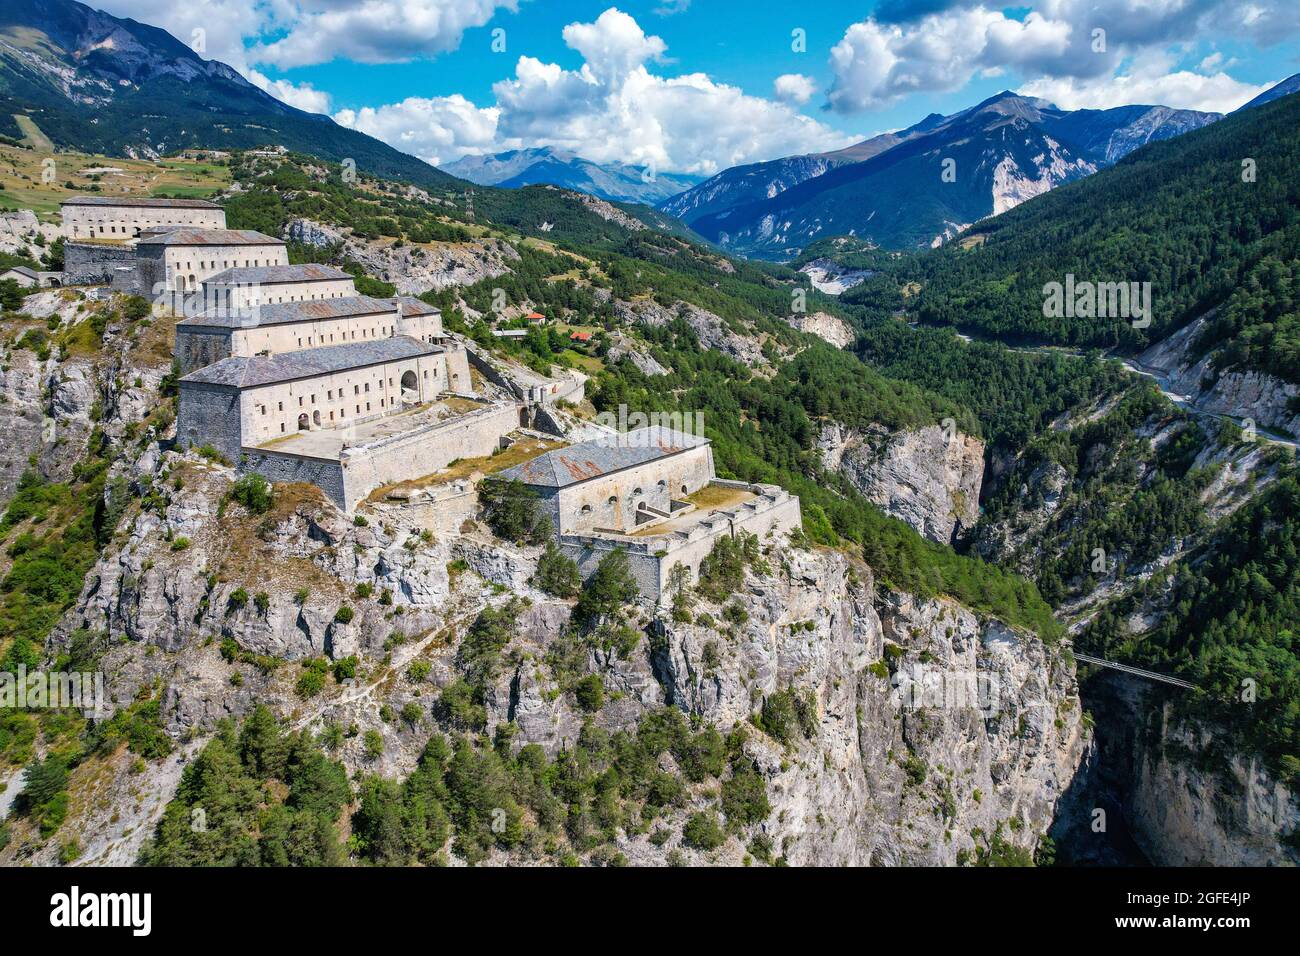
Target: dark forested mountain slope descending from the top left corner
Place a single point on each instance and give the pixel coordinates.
(105, 85)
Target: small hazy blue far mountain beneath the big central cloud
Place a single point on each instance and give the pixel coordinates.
(618, 183)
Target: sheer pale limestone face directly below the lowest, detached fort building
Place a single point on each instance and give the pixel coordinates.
(896, 734)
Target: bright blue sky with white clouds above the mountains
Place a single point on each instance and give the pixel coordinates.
(699, 85)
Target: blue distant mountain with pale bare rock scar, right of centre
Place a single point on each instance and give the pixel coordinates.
(925, 184)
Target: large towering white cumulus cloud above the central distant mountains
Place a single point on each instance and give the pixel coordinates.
(612, 109)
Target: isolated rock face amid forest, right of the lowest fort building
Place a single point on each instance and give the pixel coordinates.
(920, 477)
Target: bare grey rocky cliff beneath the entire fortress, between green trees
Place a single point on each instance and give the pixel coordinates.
(934, 736)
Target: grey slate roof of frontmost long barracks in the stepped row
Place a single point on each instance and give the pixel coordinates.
(268, 370)
